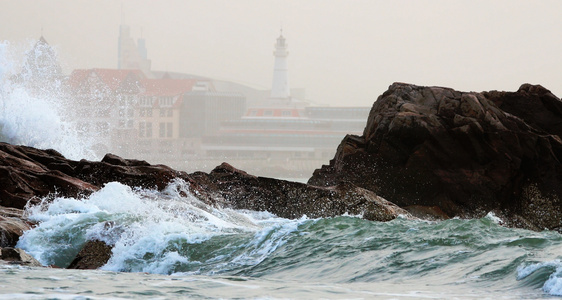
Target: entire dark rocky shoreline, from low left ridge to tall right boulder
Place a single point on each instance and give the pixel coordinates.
(426, 152)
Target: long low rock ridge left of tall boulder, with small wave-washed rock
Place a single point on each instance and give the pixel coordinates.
(28, 175)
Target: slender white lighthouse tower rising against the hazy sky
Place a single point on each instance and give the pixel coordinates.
(280, 87)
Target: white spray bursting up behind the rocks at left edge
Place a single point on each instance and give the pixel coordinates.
(36, 116)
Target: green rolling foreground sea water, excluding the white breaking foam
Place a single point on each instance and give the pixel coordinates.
(338, 258)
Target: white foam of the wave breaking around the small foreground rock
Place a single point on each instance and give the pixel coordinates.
(148, 228)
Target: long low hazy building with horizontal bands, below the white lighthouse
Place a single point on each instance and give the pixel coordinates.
(285, 134)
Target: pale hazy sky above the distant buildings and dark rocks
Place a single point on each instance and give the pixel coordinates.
(344, 53)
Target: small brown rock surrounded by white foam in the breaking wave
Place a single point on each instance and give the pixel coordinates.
(93, 255)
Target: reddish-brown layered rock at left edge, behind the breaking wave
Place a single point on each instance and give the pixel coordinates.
(27, 175)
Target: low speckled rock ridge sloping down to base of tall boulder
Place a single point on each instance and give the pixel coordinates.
(237, 189)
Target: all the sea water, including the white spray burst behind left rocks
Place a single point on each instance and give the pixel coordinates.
(169, 245)
